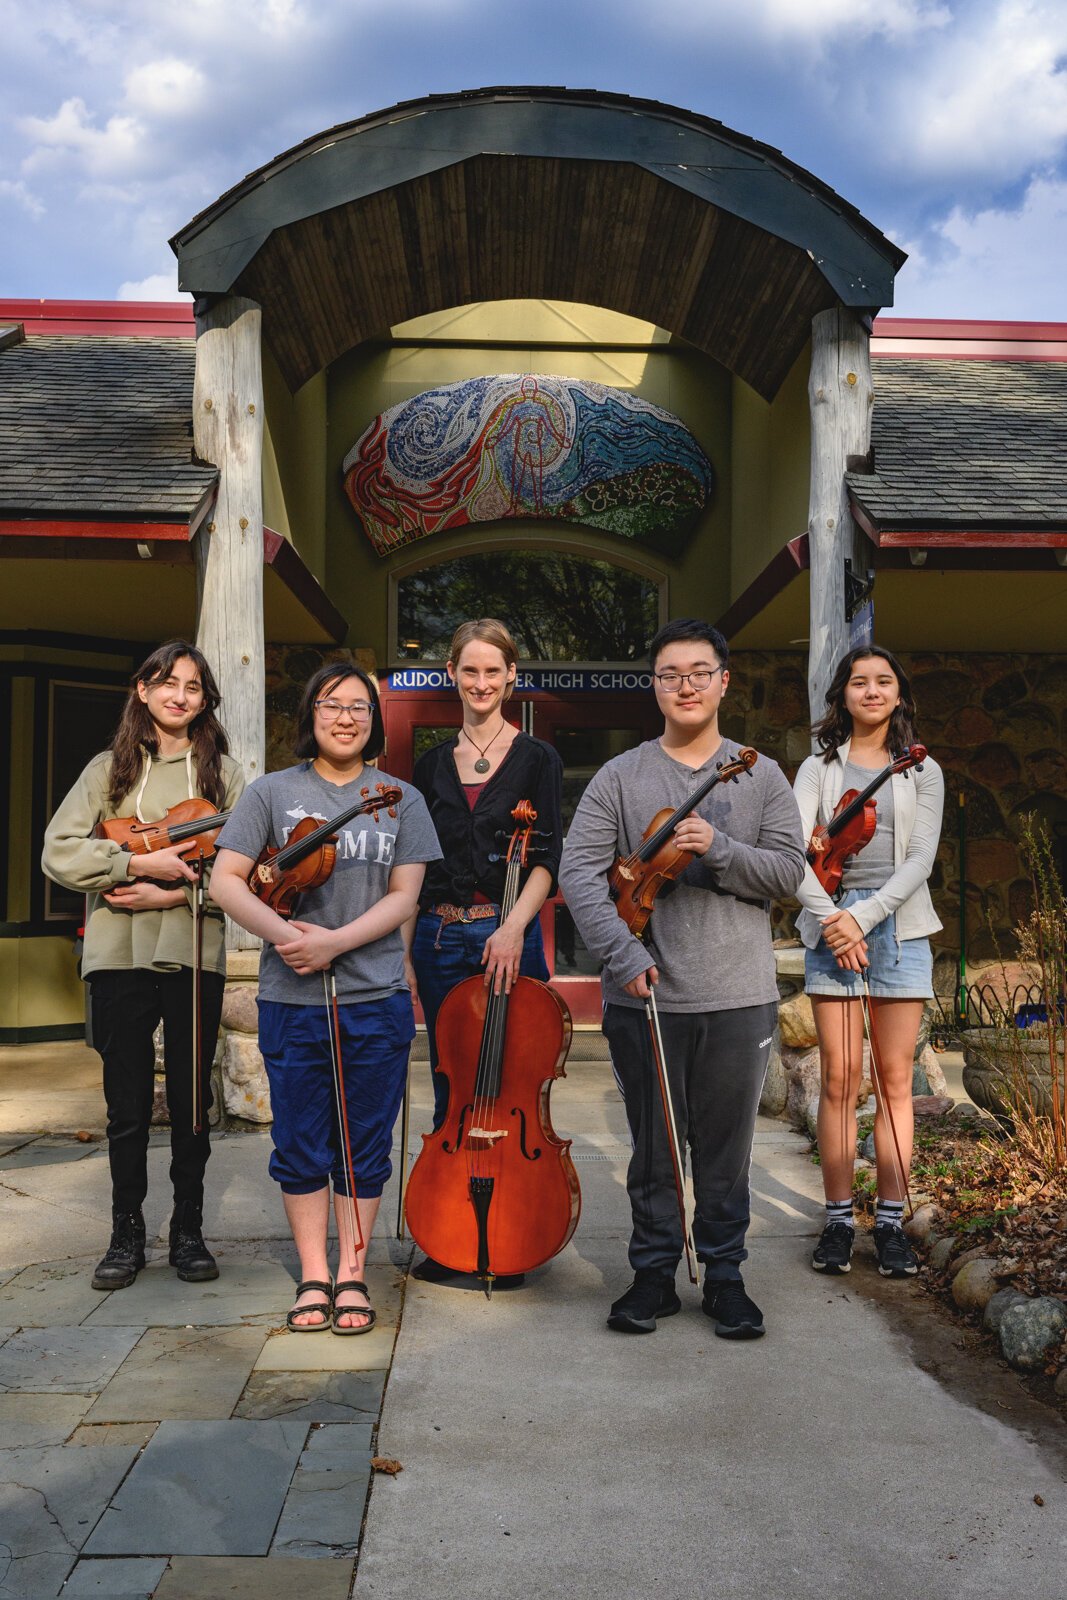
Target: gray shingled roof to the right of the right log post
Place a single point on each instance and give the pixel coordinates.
(967, 444)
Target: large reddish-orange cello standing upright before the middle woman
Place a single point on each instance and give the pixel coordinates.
(495, 1191)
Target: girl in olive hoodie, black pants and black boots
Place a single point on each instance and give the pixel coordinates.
(140, 946)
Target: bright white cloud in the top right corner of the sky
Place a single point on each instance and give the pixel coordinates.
(994, 100)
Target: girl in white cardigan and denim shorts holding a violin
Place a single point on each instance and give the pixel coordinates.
(877, 930)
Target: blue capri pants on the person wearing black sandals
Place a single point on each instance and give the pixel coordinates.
(375, 1047)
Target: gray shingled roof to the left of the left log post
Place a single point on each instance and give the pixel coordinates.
(100, 430)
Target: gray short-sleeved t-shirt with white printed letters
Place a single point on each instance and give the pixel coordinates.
(367, 854)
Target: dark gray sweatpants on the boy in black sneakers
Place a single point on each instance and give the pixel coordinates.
(716, 1068)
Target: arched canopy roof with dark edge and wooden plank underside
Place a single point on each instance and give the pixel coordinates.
(538, 193)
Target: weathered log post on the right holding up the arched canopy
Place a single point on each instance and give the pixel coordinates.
(841, 394)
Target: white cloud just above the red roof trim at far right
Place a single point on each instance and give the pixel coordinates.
(996, 265)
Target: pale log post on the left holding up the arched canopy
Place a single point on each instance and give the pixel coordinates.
(228, 431)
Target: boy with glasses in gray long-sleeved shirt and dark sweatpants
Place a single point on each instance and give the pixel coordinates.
(709, 958)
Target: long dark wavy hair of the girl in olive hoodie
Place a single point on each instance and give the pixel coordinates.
(137, 732)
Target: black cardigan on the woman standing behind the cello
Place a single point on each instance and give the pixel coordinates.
(532, 770)
